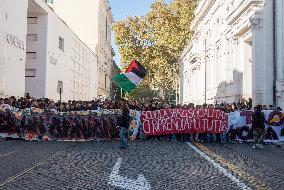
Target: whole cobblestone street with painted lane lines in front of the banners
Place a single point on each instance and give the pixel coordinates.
(165, 165)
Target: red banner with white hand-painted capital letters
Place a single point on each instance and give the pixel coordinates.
(173, 121)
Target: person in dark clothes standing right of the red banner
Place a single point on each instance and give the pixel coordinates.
(258, 127)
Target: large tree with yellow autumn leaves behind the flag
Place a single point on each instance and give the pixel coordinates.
(157, 41)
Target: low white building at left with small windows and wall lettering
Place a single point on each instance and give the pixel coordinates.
(39, 51)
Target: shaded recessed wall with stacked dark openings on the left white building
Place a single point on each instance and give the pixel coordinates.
(36, 44)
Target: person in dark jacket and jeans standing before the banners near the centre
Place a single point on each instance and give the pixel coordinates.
(124, 125)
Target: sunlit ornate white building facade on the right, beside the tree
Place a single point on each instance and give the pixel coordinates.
(222, 44)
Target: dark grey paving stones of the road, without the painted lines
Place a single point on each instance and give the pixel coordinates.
(87, 165)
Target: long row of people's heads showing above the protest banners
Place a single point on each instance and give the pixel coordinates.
(72, 105)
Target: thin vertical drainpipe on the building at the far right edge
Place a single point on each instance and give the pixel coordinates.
(274, 54)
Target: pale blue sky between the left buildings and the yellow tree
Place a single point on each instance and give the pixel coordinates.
(123, 8)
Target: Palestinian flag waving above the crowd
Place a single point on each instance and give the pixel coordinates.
(132, 77)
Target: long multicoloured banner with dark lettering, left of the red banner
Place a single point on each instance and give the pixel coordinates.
(37, 124)
